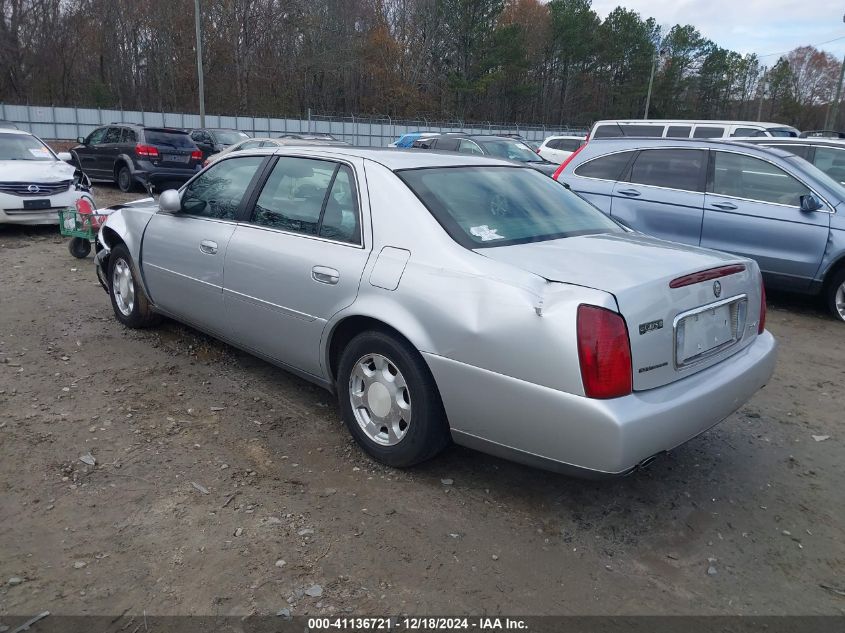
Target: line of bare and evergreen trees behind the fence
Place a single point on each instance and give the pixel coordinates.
(525, 61)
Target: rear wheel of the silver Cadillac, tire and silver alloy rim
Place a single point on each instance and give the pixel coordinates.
(389, 400)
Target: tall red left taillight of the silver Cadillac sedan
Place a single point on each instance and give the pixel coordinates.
(604, 353)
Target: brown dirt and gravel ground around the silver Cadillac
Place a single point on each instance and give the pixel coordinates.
(224, 485)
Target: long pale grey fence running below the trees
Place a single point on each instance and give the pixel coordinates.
(59, 123)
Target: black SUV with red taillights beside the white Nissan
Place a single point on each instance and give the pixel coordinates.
(132, 155)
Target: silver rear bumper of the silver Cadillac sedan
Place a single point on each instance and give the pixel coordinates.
(559, 431)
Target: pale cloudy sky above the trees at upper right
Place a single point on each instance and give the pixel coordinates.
(749, 26)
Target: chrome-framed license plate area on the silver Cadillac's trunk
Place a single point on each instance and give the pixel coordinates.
(706, 331)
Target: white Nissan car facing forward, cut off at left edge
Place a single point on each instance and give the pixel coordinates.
(35, 182)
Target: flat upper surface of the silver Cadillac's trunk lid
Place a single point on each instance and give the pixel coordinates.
(613, 262)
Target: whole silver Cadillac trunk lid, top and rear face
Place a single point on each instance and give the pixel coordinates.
(637, 271)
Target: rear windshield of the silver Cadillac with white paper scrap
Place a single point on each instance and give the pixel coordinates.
(497, 206)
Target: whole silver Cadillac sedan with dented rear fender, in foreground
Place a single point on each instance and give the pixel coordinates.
(449, 297)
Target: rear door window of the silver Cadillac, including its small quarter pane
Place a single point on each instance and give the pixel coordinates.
(314, 197)
